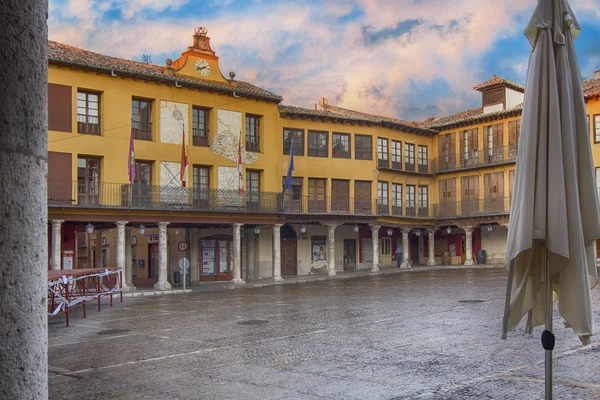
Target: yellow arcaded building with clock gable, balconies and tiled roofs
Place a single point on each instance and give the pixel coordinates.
(362, 188)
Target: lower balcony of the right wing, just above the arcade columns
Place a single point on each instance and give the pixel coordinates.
(473, 208)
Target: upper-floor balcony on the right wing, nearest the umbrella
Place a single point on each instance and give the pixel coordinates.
(475, 159)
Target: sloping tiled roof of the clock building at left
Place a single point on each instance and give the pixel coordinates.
(63, 54)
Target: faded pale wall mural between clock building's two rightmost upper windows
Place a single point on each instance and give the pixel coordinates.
(225, 142)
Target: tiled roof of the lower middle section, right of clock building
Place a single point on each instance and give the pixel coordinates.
(343, 115)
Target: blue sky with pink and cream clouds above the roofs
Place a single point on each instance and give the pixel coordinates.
(409, 59)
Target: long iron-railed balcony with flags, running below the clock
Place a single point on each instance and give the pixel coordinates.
(174, 198)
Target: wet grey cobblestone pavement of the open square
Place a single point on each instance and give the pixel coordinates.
(406, 336)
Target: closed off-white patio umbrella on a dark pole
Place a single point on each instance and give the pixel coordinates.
(555, 216)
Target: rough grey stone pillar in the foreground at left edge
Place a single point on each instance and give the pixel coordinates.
(23, 200)
